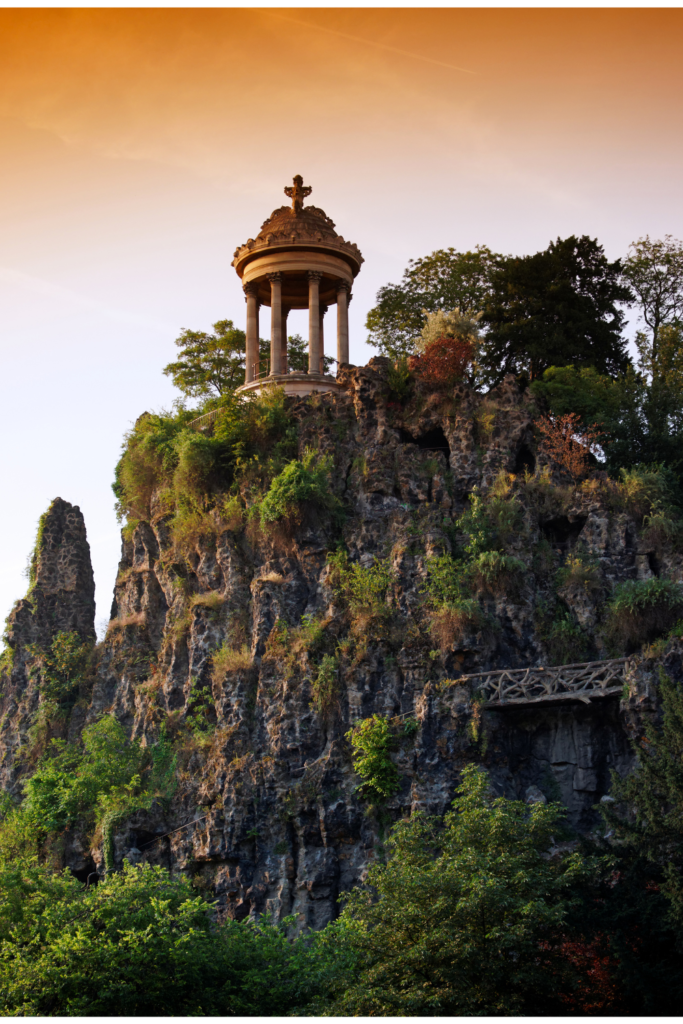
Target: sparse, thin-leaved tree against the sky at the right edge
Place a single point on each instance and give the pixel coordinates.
(654, 270)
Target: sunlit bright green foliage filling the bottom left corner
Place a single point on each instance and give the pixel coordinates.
(140, 945)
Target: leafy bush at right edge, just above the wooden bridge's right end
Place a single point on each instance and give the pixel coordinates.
(642, 611)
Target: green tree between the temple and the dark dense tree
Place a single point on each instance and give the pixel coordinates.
(446, 280)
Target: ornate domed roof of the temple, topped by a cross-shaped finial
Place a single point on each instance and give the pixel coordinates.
(297, 228)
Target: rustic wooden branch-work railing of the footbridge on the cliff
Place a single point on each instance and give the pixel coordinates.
(564, 682)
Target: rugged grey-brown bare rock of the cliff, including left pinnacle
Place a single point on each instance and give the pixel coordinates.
(269, 783)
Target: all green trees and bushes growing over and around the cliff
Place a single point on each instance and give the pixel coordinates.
(498, 908)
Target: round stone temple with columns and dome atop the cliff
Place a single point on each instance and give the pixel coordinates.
(297, 262)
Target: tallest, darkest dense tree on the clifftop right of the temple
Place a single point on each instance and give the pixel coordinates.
(558, 308)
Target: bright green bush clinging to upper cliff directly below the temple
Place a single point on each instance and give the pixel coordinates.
(303, 483)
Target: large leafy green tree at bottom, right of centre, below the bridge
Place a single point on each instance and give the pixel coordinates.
(454, 925)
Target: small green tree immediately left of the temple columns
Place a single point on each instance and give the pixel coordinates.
(209, 365)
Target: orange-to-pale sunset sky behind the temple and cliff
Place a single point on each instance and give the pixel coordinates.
(139, 148)
